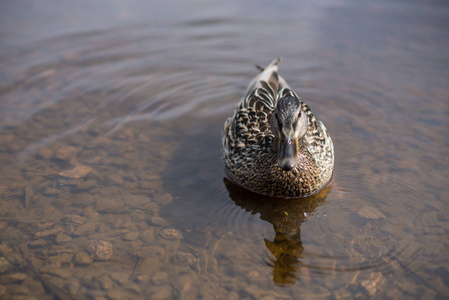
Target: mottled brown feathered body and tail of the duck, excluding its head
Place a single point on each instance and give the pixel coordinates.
(250, 148)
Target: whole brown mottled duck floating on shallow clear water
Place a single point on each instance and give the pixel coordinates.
(273, 144)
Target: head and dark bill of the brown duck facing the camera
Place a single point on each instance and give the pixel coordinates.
(289, 125)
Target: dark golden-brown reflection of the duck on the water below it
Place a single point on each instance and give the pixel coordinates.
(286, 216)
